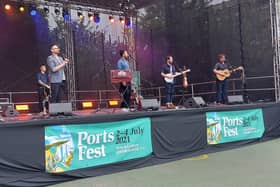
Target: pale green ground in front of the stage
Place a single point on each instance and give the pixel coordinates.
(252, 166)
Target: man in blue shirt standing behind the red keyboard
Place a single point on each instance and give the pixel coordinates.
(125, 87)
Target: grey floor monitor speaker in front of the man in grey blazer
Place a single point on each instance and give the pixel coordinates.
(60, 108)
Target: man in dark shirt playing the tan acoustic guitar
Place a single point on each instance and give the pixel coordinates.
(221, 85)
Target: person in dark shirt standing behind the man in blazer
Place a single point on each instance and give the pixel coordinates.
(43, 89)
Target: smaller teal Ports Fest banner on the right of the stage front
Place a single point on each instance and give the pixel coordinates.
(233, 126)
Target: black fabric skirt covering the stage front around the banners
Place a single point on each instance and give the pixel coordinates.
(175, 135)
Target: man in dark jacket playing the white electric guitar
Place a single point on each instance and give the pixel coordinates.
(168, 73)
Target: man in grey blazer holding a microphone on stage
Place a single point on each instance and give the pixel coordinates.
(57, 75)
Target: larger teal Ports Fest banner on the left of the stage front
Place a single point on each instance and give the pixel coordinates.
(70, 147)
